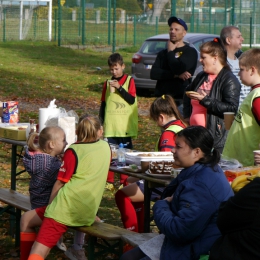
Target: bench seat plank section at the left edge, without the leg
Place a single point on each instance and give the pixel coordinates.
(15, 199)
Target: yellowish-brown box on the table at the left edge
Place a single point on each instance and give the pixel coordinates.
(17, 132)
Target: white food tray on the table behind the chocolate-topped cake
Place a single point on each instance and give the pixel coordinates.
(137, 157)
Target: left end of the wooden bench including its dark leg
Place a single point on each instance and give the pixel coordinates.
(16, 202)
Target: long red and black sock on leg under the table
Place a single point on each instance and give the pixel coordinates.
(127, 211)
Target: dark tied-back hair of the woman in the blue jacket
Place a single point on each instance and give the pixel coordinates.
(200, 137)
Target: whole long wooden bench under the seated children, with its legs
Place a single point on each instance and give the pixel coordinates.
(107, 238)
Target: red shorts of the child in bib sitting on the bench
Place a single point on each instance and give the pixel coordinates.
(50, 232)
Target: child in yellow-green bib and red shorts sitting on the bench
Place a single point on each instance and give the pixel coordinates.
(77, 193)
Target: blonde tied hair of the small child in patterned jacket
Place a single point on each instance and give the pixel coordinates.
(47, 135)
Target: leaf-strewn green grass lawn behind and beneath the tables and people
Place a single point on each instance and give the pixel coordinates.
(34, 73)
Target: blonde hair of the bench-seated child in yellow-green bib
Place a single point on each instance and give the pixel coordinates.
(88, 126)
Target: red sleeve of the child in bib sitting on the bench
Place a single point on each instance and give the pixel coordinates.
(68, 166)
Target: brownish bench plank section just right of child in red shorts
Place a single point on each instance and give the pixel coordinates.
(105, 231)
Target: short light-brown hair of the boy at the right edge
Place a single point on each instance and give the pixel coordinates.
(250, 58)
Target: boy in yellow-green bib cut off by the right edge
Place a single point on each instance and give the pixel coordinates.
(244, 136)
